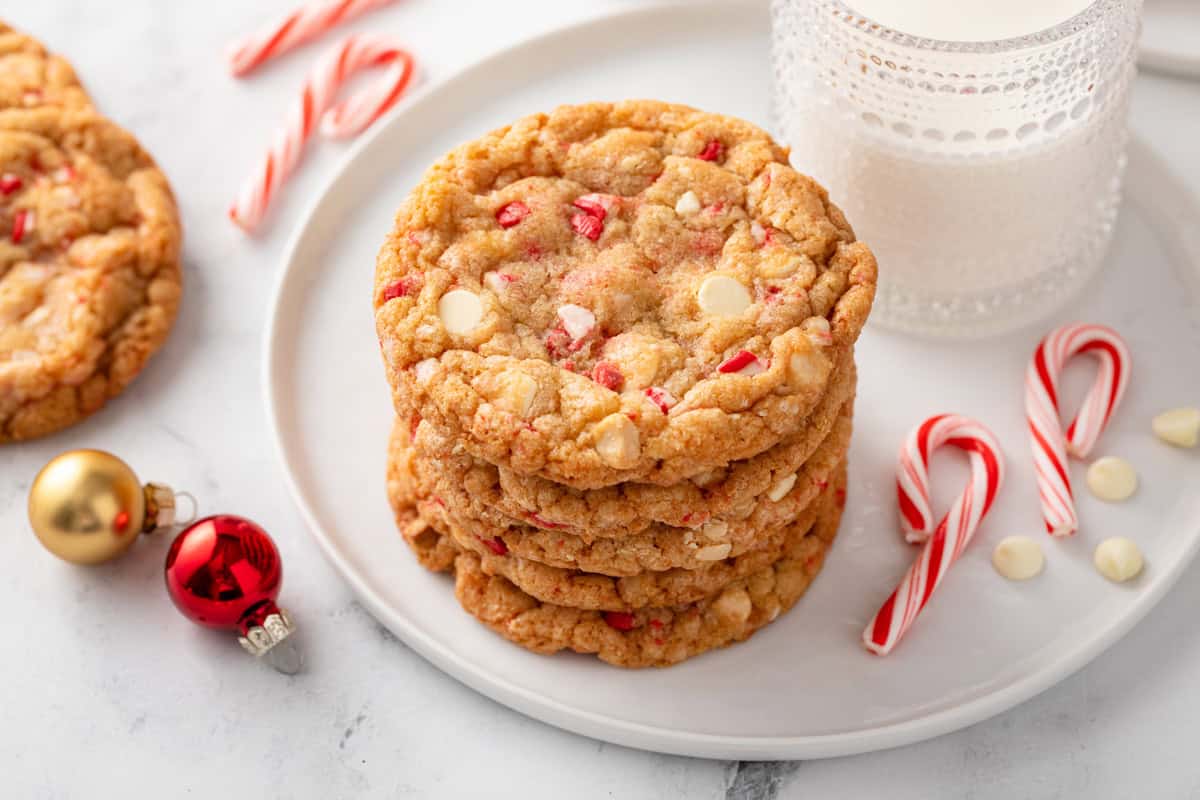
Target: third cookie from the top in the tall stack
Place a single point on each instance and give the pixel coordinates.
(657, 549)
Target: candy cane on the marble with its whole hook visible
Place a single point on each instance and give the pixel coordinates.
(338, 121)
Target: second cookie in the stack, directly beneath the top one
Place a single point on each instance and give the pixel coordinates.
(631, 509)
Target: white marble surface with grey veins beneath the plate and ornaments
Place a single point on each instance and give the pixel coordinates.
(107, 691)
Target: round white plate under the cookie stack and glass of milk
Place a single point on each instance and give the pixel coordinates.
(805, 687)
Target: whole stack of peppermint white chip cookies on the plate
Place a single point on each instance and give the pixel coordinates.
(620, 340)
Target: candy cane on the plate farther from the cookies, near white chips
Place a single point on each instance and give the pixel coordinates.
(1052, 444)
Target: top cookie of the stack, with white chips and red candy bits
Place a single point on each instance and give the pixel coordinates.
(619, 292)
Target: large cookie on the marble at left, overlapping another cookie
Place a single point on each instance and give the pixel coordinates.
(89, 267)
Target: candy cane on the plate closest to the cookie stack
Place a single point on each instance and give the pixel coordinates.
(946, 543)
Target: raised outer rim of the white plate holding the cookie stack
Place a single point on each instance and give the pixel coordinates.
(598, 726)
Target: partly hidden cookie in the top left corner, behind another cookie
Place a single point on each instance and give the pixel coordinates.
(31, 77)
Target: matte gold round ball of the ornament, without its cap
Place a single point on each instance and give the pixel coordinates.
(87, 507)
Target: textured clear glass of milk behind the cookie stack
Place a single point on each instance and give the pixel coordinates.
(976, 146)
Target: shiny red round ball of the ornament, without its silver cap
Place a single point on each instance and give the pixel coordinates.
(225, 573)
